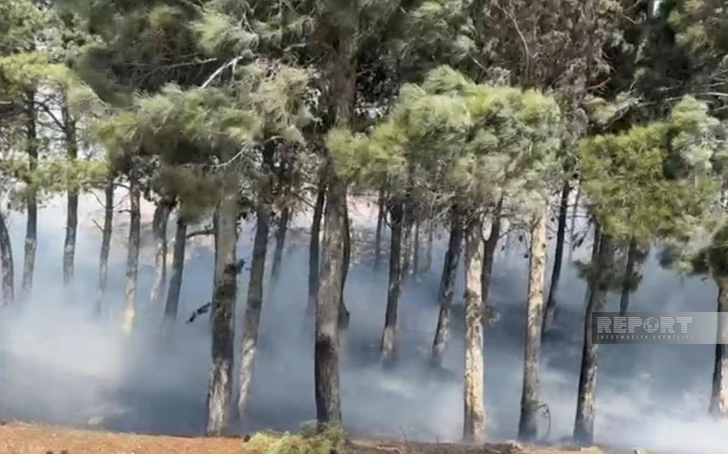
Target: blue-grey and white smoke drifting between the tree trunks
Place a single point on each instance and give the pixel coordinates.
(57, 366)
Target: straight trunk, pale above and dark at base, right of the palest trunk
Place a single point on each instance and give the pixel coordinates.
(528, 426)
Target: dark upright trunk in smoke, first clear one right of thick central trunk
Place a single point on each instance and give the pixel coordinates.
(388, 347)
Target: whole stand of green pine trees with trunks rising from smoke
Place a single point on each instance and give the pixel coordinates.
(461, 118)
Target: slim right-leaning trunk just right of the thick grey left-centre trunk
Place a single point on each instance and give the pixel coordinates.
(254, 305)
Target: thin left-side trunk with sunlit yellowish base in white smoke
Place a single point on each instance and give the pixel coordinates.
(132, 258)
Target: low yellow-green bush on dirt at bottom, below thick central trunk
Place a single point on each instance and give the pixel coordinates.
(312, 440)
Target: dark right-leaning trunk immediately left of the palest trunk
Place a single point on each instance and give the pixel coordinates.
(449, 273)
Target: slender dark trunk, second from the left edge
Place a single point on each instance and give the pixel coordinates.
(31, 229)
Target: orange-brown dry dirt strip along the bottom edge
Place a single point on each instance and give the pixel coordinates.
(22, 438)
